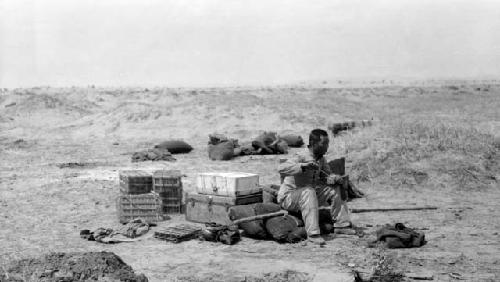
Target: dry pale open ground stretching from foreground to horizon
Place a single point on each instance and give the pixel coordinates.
(429, 145)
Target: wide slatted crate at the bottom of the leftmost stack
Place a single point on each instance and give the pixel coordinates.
(145, 206)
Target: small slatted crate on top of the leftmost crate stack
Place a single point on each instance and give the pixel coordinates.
(135, 182)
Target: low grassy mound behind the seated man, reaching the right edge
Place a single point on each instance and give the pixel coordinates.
(413, 151)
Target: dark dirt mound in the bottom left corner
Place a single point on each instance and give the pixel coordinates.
(97, 266)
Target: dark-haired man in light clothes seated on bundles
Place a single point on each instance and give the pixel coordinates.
(308, 183)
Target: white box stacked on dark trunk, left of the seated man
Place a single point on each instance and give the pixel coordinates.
(217, 192)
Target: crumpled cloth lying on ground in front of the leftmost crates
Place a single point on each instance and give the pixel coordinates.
(128, 233)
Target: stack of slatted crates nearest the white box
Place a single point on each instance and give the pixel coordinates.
(168, 184)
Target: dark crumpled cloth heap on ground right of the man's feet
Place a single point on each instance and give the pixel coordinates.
(400, 236)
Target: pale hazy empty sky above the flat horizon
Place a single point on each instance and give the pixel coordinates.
(215, 42)
